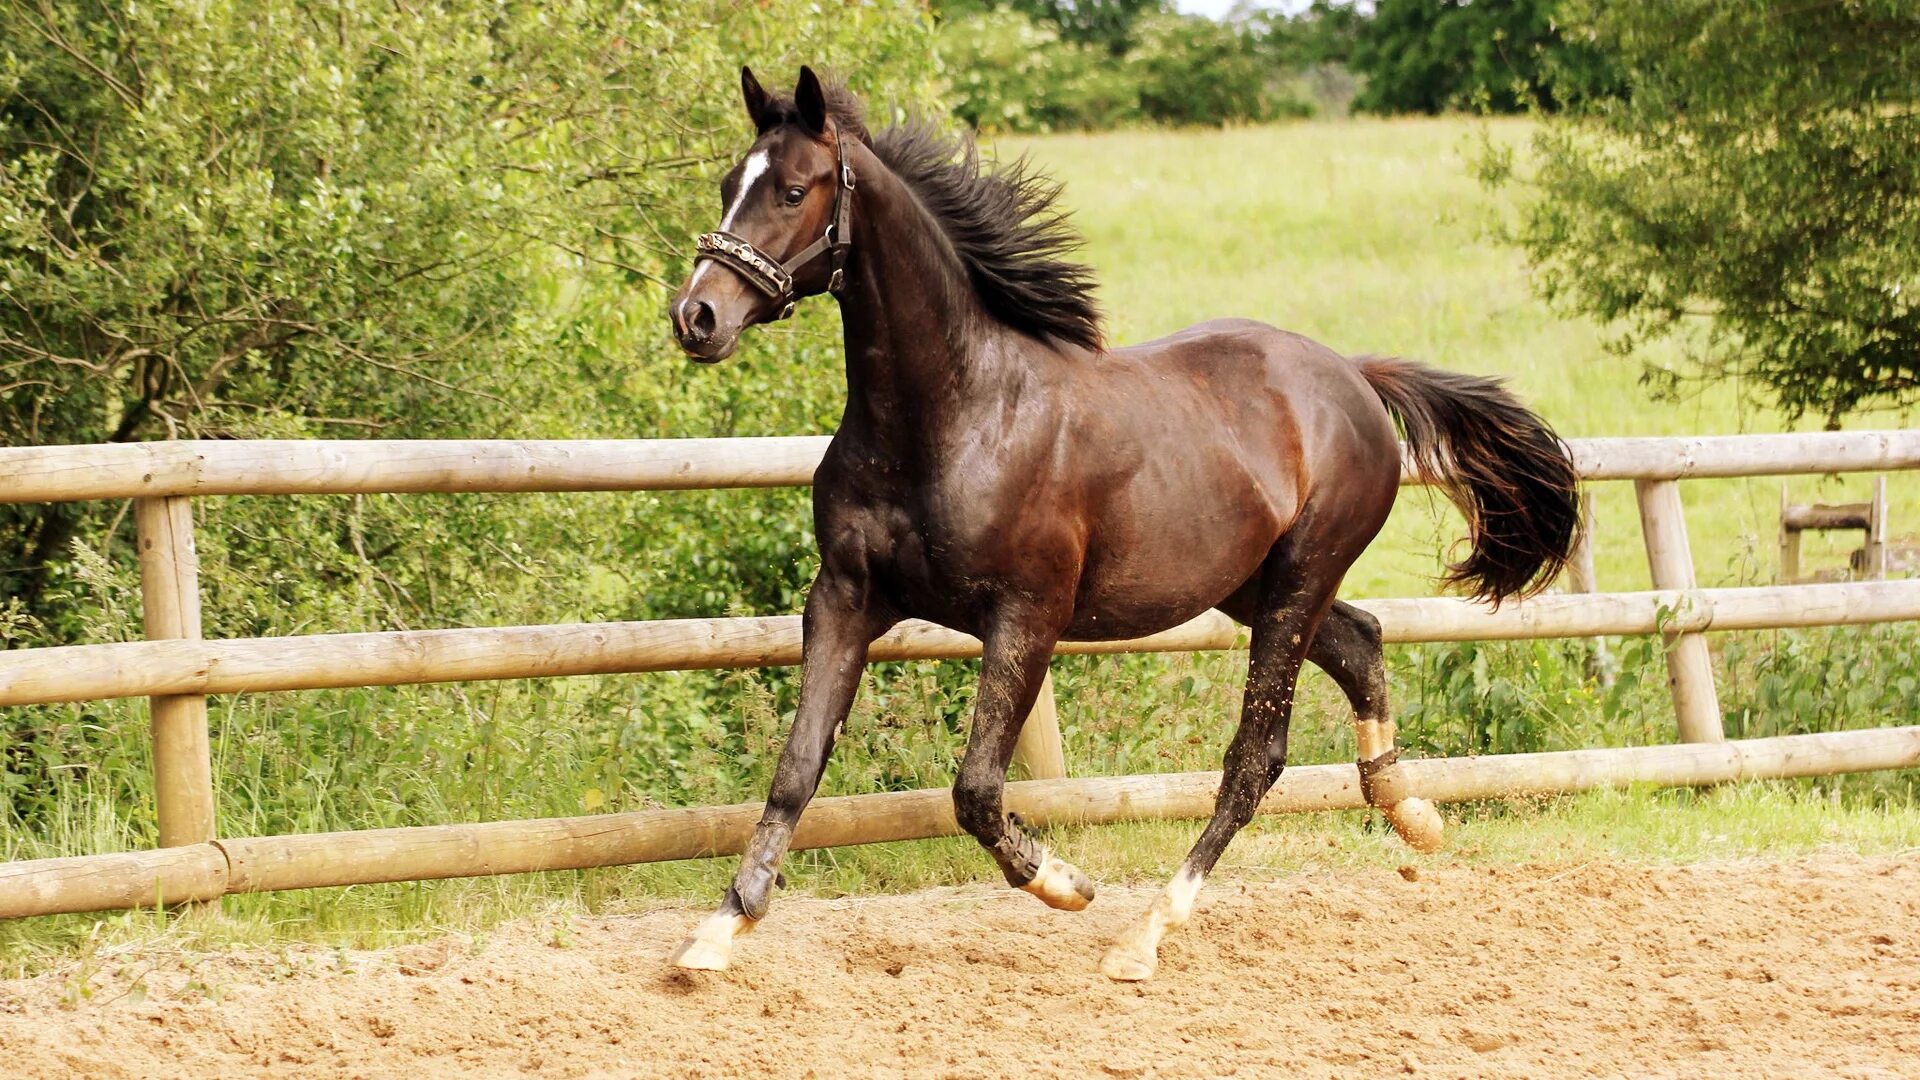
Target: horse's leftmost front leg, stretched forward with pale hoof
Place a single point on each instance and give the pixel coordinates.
(838, 627)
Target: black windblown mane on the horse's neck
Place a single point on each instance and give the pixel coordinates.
(1003, 224)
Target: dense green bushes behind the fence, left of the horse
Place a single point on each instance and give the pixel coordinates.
(235, 220)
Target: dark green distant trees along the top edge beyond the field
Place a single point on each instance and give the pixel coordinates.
(1431, 57)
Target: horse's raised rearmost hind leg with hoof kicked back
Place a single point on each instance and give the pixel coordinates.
(1349, 650)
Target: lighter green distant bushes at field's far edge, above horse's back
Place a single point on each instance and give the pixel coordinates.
(1015, 74)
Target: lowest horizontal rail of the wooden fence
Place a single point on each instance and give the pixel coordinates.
(268, 864)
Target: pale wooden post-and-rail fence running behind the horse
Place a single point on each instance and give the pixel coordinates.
(178, 670)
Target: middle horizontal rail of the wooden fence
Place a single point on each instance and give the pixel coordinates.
(389, 658)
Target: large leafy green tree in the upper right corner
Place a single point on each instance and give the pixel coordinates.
(1754, 199)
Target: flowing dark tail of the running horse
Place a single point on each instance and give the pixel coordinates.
(1499, 462)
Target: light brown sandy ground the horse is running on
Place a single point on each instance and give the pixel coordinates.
(1591, 970)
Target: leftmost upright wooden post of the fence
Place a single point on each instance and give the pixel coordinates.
(170, 595)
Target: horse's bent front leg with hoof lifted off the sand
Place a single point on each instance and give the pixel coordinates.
(1013, 668)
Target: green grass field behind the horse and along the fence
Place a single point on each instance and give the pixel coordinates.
(1370, 237)
